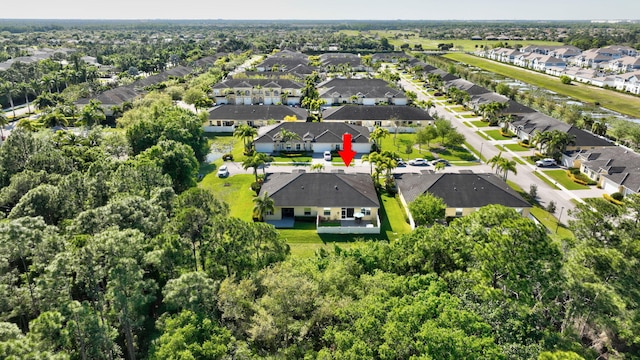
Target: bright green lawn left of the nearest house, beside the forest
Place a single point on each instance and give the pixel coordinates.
(234, 190)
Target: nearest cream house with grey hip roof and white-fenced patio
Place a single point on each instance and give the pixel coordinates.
(337, 202)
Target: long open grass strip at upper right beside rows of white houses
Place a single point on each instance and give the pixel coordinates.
(622, 103)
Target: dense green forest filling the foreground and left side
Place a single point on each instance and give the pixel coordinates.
(109, 250)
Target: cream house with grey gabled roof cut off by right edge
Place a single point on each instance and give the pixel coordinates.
(616, 169)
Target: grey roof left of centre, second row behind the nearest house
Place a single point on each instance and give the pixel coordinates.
(256, 112)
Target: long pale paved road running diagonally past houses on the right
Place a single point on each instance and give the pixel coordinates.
(525, 173)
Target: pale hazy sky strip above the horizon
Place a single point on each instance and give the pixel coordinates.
(326, 9)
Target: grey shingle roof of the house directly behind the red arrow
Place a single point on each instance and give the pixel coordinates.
(319, 131)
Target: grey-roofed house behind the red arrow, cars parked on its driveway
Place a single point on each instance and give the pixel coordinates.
(316, 137)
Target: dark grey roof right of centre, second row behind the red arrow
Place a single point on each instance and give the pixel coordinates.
(359, 112)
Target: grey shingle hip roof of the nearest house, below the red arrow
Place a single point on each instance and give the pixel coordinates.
(321, 190)
